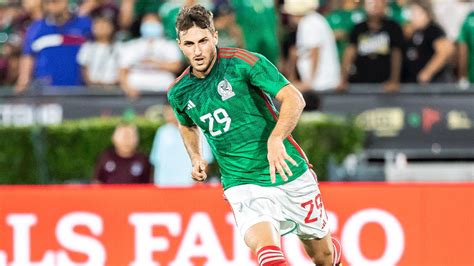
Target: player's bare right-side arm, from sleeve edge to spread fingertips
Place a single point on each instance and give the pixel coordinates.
(292, 104)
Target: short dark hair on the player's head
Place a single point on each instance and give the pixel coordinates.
(196, 15)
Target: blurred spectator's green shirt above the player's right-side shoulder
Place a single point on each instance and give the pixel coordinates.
(259, 24)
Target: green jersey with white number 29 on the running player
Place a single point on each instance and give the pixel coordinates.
(232, 106)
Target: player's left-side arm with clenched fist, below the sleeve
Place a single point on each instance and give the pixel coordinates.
(192, 141)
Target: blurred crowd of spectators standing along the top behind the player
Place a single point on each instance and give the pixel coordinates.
(319, 45)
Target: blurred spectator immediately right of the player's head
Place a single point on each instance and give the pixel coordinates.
(230, 34)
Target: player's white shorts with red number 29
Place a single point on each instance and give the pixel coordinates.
(294, 207)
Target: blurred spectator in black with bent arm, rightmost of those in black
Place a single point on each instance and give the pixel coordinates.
(427, 50)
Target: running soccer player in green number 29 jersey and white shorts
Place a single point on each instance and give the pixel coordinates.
(266, 178)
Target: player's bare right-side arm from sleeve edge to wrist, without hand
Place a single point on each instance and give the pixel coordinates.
(292, 105)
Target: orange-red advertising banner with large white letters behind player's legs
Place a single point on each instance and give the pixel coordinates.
(377, 224)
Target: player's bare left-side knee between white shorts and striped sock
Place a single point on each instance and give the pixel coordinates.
(260, 235)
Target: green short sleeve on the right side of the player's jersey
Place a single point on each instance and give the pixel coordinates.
(265, 76)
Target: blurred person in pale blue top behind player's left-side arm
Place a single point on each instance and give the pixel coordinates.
(173, 170)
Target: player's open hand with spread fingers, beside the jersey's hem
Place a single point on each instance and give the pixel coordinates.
(277, 158)
